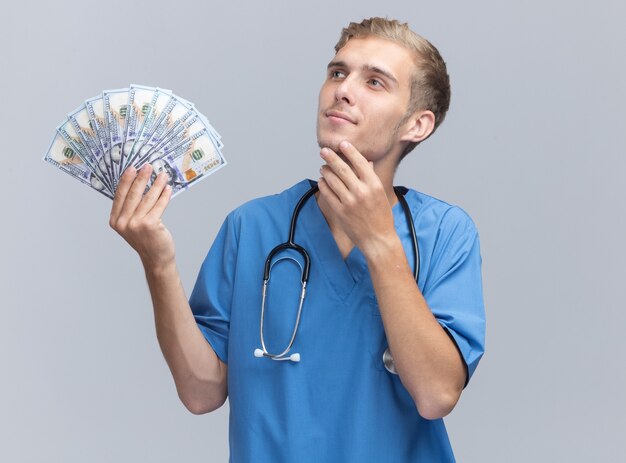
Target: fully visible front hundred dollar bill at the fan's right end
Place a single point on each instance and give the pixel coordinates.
(195, 162)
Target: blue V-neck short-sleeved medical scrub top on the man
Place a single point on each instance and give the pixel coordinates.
(339, 403)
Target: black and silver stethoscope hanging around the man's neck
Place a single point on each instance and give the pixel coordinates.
(305, 269)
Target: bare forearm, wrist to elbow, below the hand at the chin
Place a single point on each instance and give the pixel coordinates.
(427, 361)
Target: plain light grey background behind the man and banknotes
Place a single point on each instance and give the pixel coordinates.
(532, 149)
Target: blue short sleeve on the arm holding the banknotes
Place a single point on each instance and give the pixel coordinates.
(211, 297)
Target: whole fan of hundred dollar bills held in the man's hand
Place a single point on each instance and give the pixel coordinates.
(131, 127)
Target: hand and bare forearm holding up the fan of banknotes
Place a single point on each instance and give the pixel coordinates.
(199, 374)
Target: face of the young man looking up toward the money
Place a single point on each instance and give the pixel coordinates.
(365, 96)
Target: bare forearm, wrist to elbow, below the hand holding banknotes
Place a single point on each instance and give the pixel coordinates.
(199, 375)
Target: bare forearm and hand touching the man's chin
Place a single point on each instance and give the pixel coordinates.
(354, 199)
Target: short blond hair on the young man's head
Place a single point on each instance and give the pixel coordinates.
(430, 83)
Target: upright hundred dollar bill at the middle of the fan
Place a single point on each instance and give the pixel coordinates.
(115, 108)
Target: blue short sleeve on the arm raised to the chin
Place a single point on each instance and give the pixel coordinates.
(453, 288)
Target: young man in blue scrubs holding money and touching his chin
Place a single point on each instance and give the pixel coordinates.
(386, 90)
